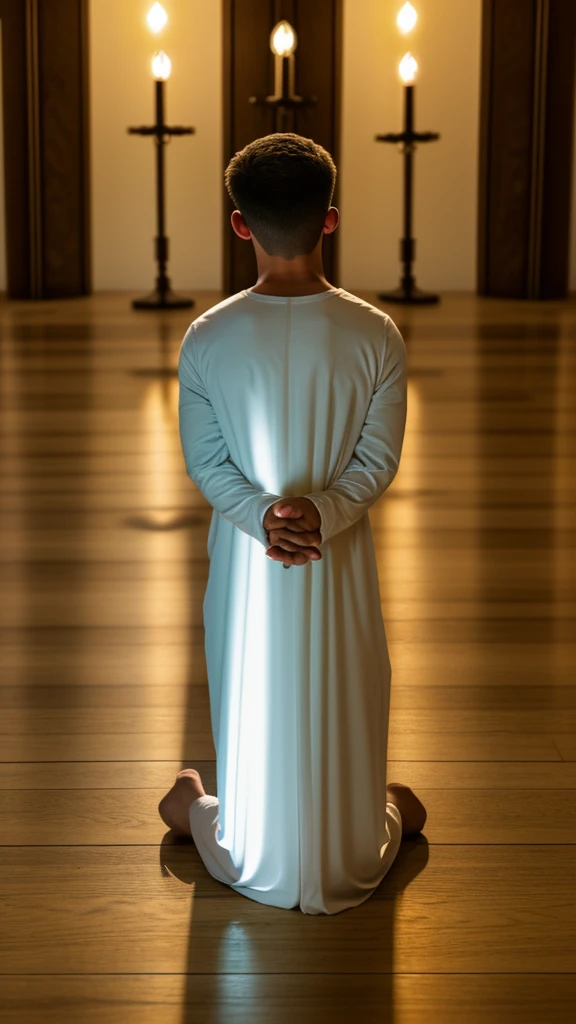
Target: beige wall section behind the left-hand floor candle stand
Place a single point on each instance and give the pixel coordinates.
(124, 166)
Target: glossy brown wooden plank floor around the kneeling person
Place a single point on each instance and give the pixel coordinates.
(104, 692)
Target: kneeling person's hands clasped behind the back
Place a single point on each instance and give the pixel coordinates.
(294, 529)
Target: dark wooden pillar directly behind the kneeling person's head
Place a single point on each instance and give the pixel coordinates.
(249, 71)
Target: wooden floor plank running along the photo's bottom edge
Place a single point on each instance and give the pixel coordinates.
(279, 999)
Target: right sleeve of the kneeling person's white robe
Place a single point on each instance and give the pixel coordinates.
(377, 456)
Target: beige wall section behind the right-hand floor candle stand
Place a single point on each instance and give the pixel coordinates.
(446, 42)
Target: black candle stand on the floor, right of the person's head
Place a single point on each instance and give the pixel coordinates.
(408, 291)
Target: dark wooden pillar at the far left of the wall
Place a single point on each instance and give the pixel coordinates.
(47, 157)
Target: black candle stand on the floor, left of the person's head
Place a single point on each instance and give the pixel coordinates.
(162, 297)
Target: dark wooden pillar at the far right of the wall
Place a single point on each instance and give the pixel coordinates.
(527, 118)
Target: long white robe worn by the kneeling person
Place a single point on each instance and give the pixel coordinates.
(301, 396)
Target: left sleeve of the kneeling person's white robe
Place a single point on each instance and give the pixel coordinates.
(208, 457)
